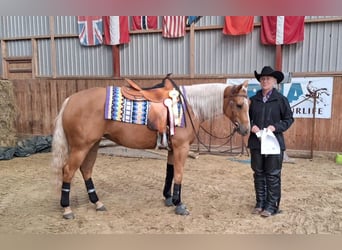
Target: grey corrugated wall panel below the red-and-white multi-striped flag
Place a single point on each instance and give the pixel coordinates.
(151, 54)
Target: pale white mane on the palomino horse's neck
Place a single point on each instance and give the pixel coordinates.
(206, 99)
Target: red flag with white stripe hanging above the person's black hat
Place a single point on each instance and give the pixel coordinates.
(282, 29)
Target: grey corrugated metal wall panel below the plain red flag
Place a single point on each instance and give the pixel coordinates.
(219, 54)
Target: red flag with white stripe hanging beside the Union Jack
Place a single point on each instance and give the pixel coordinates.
(115, 30)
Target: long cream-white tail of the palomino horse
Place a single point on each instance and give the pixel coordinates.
(60, 148)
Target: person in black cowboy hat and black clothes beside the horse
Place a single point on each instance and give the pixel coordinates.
(271, 110)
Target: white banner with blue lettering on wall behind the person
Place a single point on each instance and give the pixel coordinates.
(300, 93)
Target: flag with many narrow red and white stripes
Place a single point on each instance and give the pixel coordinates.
(173, 26)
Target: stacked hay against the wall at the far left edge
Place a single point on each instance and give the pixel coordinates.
(7, 115)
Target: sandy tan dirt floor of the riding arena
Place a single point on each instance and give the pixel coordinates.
(218, 191)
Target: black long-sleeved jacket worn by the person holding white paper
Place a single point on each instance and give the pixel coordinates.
(276, 111)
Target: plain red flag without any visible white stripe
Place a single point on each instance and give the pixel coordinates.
(238, 25)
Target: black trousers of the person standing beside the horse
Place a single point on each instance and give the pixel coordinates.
(267, 180)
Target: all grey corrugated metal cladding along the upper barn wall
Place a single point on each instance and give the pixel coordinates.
(150, 54)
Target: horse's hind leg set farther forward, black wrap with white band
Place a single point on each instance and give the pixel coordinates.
(87, 170)
